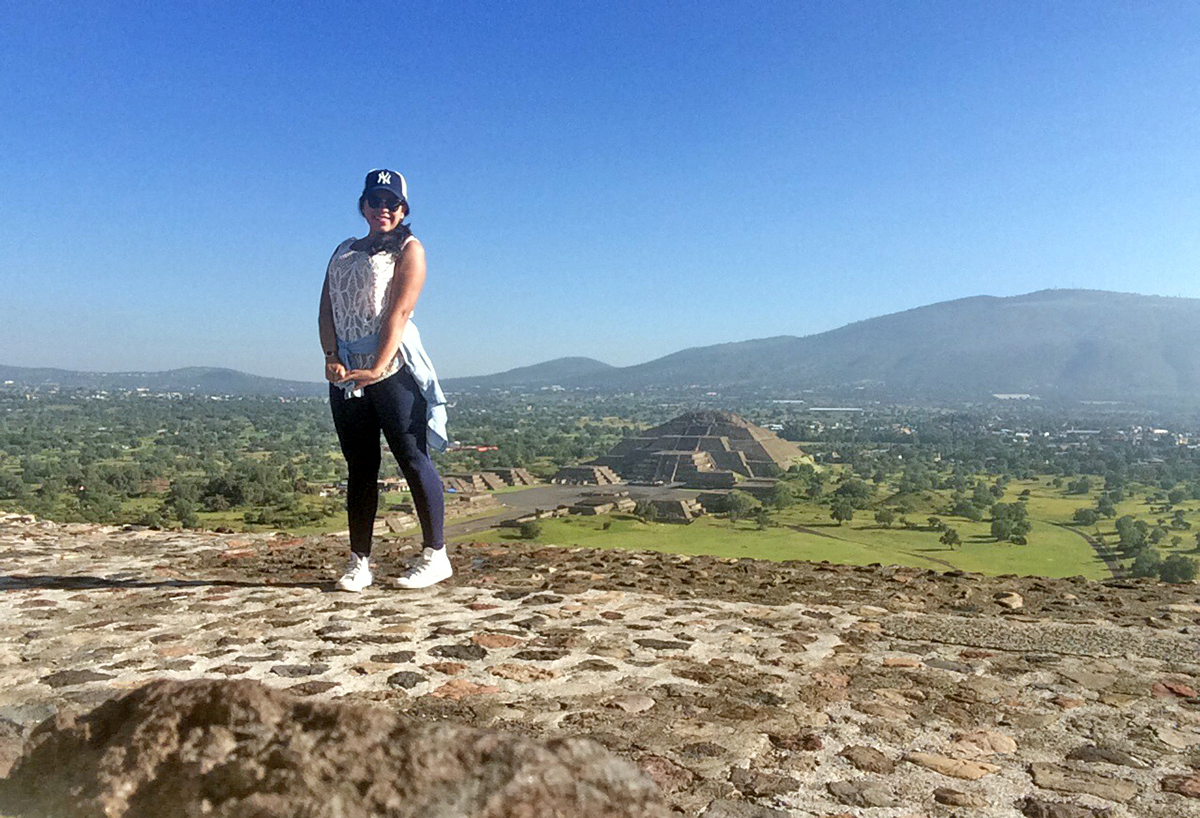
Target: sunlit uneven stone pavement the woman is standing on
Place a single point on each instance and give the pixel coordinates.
(746, 689)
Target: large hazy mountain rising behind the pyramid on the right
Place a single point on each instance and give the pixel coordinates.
(1069, 344)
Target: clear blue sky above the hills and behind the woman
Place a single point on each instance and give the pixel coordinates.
(611, 181)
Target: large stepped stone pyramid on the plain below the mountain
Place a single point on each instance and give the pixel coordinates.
(703, 448)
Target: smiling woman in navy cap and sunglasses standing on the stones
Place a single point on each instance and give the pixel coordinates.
(381, 380)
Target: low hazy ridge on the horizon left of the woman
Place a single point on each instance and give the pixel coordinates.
(199, 381)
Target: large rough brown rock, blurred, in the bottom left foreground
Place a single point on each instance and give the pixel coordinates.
(238, 749)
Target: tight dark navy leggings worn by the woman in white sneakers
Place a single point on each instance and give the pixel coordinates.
(397, 407)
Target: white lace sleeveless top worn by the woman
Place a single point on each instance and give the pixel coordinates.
(359, 291)
